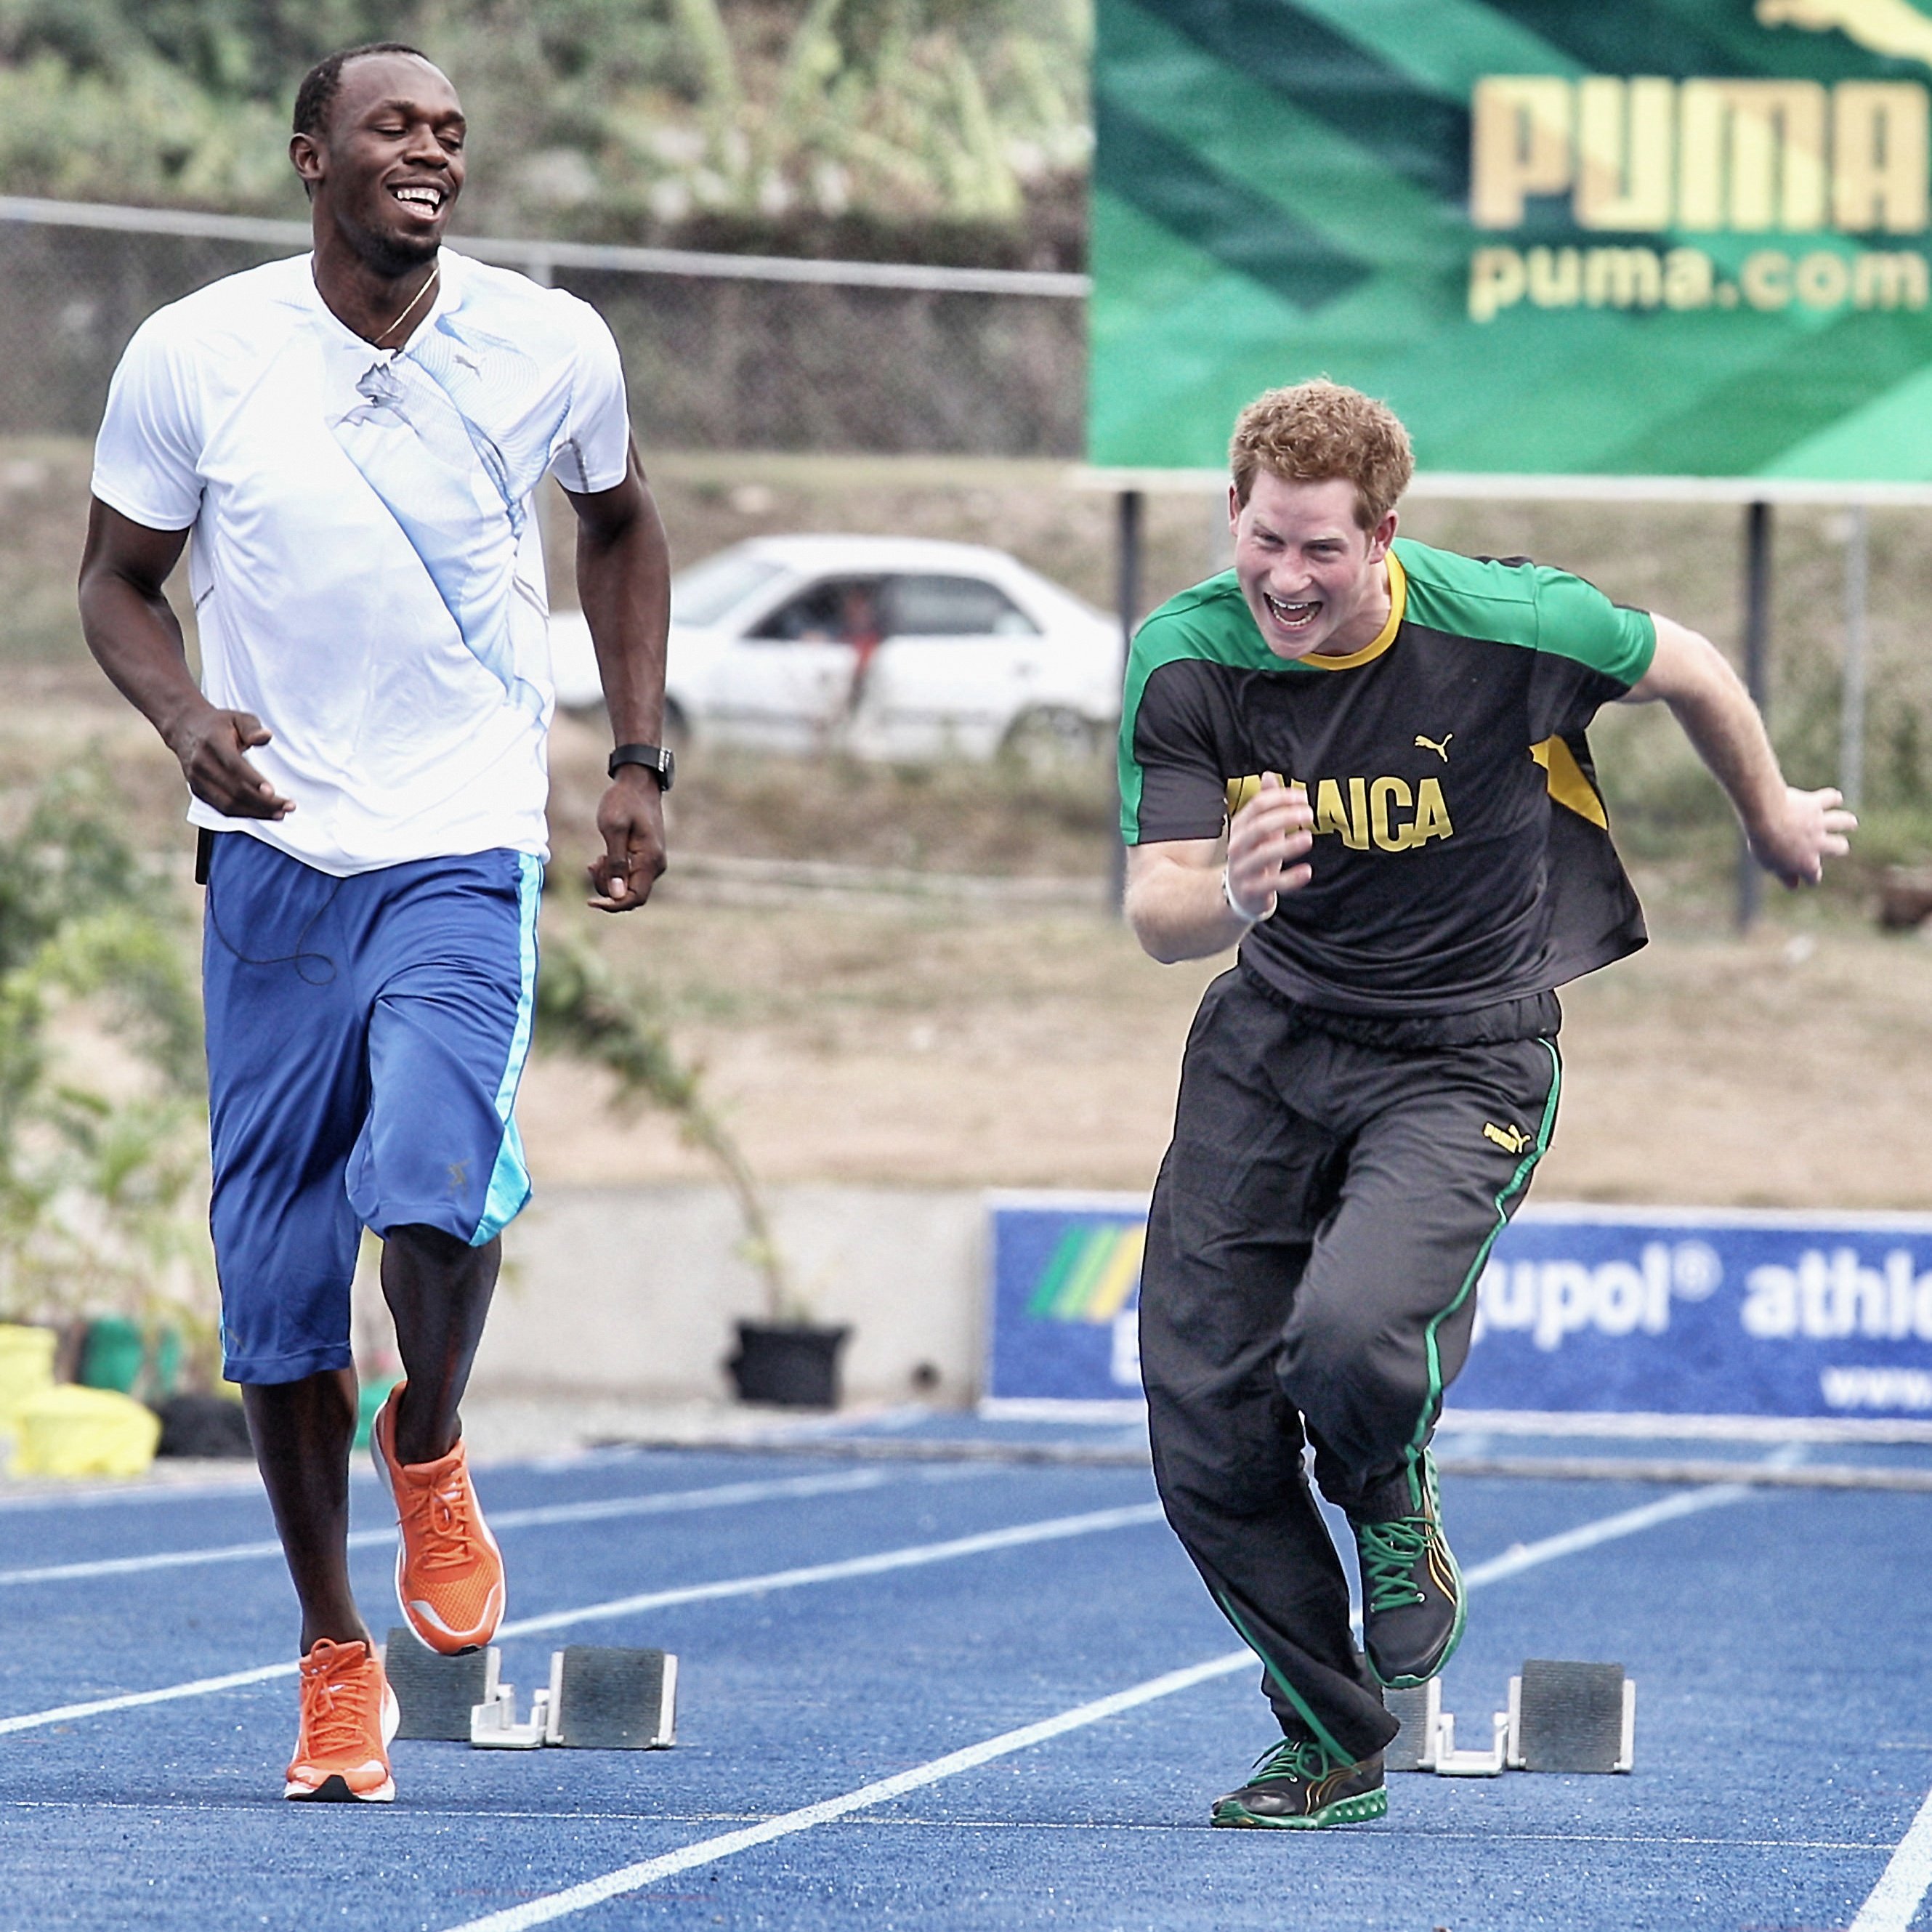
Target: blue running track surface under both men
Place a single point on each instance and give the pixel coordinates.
(1778, 1639)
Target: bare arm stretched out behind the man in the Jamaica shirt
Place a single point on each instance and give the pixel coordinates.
(1792, 834)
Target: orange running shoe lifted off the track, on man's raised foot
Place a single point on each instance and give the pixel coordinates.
(449, 1570)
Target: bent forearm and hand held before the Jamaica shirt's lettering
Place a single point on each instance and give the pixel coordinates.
(1174, 890)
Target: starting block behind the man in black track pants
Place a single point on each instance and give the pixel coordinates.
(1560, 1719)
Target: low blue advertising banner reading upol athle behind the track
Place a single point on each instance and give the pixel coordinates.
(1593, 1311)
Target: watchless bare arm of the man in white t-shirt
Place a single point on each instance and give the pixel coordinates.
(136, 639)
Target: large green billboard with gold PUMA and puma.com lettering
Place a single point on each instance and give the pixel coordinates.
(1653, 239)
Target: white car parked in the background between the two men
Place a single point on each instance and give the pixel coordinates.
(890, 648)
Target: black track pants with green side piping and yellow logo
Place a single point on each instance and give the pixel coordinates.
(1313, 1257)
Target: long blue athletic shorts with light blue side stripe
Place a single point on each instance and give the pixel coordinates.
(366, 1040)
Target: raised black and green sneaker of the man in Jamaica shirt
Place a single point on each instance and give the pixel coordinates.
(1413, 1601)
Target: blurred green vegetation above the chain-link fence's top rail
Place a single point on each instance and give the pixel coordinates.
(953, 127)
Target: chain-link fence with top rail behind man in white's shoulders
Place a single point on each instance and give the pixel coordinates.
(722, 353)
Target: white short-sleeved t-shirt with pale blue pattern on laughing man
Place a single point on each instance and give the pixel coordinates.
(366, 565)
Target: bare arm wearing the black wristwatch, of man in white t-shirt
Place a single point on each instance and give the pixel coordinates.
(625, 590)
